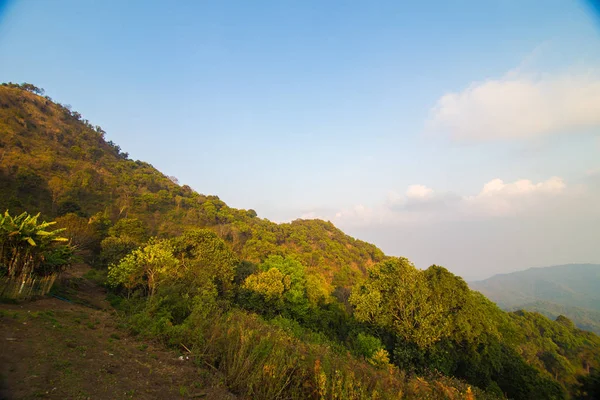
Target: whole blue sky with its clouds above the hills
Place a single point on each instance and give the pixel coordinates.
(459, 133)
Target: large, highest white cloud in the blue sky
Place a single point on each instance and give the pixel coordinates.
(519, 107)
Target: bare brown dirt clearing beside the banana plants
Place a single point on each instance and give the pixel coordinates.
(55, 349)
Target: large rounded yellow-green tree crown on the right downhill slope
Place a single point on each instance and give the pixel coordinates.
(422, 307)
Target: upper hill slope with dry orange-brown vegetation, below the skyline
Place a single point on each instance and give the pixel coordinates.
(54, 161)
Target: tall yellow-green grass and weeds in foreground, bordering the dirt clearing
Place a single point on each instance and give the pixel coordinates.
(261, 361)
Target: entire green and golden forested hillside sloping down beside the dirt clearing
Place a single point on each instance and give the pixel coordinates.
(296, 310)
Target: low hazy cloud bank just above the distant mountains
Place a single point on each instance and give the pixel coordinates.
(504, 226)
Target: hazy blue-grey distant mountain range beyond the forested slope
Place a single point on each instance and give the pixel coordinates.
(572, 290)
